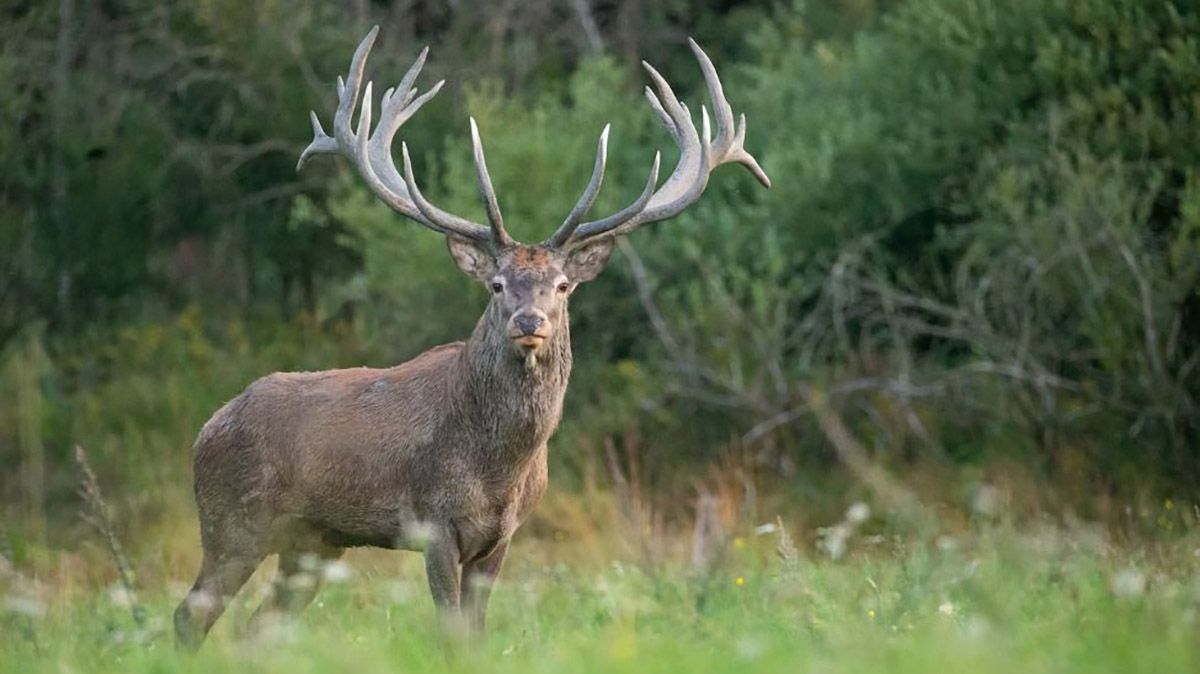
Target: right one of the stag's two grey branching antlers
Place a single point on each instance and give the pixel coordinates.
(699, 157)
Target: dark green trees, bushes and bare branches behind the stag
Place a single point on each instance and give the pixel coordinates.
(981, 256)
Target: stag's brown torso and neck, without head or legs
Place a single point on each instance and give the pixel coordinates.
(454, 438)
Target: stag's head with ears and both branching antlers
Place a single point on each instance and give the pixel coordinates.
(530, 285)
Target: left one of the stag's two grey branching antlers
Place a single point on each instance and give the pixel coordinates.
(371, 154)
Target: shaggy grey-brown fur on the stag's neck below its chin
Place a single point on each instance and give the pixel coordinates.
(517, 405)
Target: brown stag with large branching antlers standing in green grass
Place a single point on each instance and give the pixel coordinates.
(446, 454)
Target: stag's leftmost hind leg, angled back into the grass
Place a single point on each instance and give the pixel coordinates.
(220, 579)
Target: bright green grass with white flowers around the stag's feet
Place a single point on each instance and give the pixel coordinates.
(1001, 599)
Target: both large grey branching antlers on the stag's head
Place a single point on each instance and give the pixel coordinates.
(371, 157)
